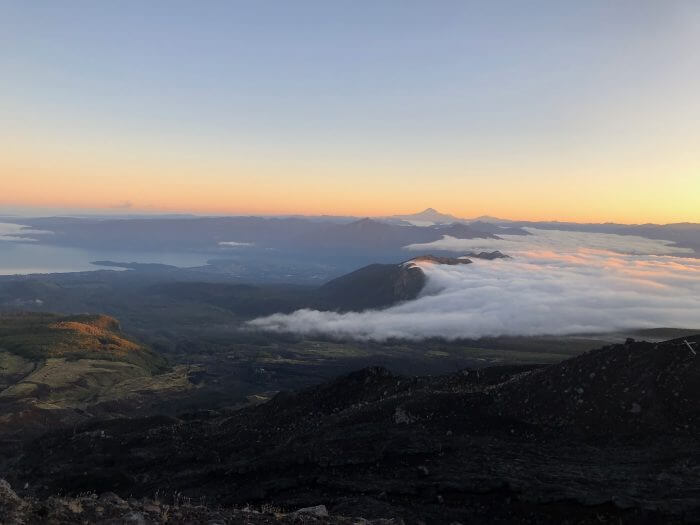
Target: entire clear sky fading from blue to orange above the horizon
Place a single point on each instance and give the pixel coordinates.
(581, 111)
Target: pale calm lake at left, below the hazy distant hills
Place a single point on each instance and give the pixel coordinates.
(25, 258)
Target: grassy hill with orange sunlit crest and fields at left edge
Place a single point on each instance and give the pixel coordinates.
(59, 370)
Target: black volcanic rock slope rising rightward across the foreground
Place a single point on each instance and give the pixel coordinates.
(610, 436)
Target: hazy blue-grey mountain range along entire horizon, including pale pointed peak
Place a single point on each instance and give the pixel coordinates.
(300, 234)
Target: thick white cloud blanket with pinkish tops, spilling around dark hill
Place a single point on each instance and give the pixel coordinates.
(556, 283)
